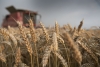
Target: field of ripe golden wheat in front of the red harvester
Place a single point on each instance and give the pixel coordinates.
(56, 46)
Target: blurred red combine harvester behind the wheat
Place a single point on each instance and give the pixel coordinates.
(19, 15)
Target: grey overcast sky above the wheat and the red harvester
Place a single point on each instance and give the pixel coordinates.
(64, 11)
